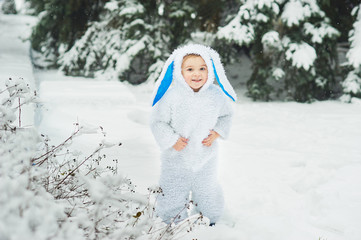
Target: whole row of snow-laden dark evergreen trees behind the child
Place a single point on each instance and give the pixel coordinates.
(297, 48)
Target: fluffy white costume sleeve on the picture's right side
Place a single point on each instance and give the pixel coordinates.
(224, 121)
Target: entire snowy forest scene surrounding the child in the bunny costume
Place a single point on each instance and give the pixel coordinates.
(74, 106)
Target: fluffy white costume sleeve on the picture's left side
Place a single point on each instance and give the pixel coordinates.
(161, 128)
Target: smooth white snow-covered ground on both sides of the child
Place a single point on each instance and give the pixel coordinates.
(290, 171)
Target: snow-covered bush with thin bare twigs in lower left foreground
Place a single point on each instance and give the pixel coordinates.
(52, 192)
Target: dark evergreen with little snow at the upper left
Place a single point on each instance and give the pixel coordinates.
(60, 24)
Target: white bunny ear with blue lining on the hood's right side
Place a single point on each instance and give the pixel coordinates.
(221, 76)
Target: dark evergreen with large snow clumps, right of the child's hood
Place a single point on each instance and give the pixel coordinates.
(292, 48)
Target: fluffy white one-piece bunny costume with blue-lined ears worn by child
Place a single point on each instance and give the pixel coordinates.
(178, 111)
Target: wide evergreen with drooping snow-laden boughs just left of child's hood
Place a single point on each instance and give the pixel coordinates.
(131, 40)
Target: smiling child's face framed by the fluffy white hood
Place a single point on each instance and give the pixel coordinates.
(194, 71)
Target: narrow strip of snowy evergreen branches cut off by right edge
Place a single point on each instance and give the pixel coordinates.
(352, 83)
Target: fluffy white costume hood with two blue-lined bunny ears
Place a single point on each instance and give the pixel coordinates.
(172, 71)
